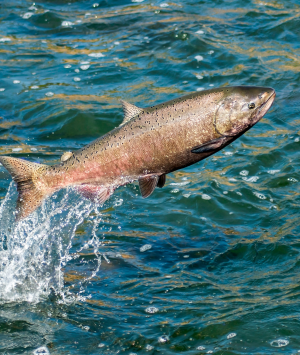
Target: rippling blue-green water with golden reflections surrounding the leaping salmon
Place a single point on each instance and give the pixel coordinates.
(208, 264)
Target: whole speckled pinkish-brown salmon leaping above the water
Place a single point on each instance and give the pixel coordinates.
(149, 144)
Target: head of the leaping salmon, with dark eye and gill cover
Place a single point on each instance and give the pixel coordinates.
(240, 108)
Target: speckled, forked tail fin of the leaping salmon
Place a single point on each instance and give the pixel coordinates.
(24, 174)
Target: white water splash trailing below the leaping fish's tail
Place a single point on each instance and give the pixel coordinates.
(36, 252)
